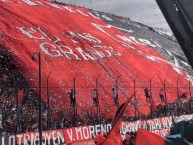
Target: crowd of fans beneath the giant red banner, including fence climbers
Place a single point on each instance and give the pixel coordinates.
(19, 117)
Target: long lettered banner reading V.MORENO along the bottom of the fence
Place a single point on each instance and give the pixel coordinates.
(85, 134)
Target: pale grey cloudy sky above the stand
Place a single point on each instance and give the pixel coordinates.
(144, 11)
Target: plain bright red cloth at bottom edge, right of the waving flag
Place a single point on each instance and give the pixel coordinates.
(147, 138)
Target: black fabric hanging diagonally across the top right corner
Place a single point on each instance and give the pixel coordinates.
(179, 15)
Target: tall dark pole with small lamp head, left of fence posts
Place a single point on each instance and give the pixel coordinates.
(40, 95)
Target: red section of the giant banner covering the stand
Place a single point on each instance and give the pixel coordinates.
(34, 26)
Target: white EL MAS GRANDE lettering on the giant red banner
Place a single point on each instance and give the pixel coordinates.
(55, 50)
